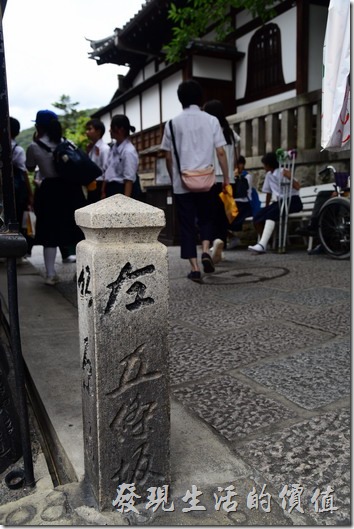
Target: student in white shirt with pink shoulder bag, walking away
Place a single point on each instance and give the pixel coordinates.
(197, 135)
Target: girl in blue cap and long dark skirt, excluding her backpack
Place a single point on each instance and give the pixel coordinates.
(56, 198)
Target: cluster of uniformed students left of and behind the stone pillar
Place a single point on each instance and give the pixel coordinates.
(55, 199)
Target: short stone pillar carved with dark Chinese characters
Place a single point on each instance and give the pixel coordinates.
(122, 278)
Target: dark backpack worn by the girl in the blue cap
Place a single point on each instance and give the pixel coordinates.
(72, 163)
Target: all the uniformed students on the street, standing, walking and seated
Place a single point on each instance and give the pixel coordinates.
(202, 136)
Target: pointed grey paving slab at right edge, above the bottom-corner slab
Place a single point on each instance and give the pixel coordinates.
(309, 379)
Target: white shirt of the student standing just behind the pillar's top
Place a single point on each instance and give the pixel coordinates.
(122, 163)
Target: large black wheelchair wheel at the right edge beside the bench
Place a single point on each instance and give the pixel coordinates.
(334, 227)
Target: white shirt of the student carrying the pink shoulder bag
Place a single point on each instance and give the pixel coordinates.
(197, 135)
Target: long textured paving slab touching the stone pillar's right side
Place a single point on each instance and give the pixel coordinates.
(198, 356)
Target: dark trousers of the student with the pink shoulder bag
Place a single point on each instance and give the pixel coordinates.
(194, 210)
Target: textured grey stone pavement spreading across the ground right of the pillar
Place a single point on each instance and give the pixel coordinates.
(260, 358)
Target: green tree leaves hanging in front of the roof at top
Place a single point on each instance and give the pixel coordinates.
(193, 20)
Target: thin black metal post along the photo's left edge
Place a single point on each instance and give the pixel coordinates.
(12, 229)
